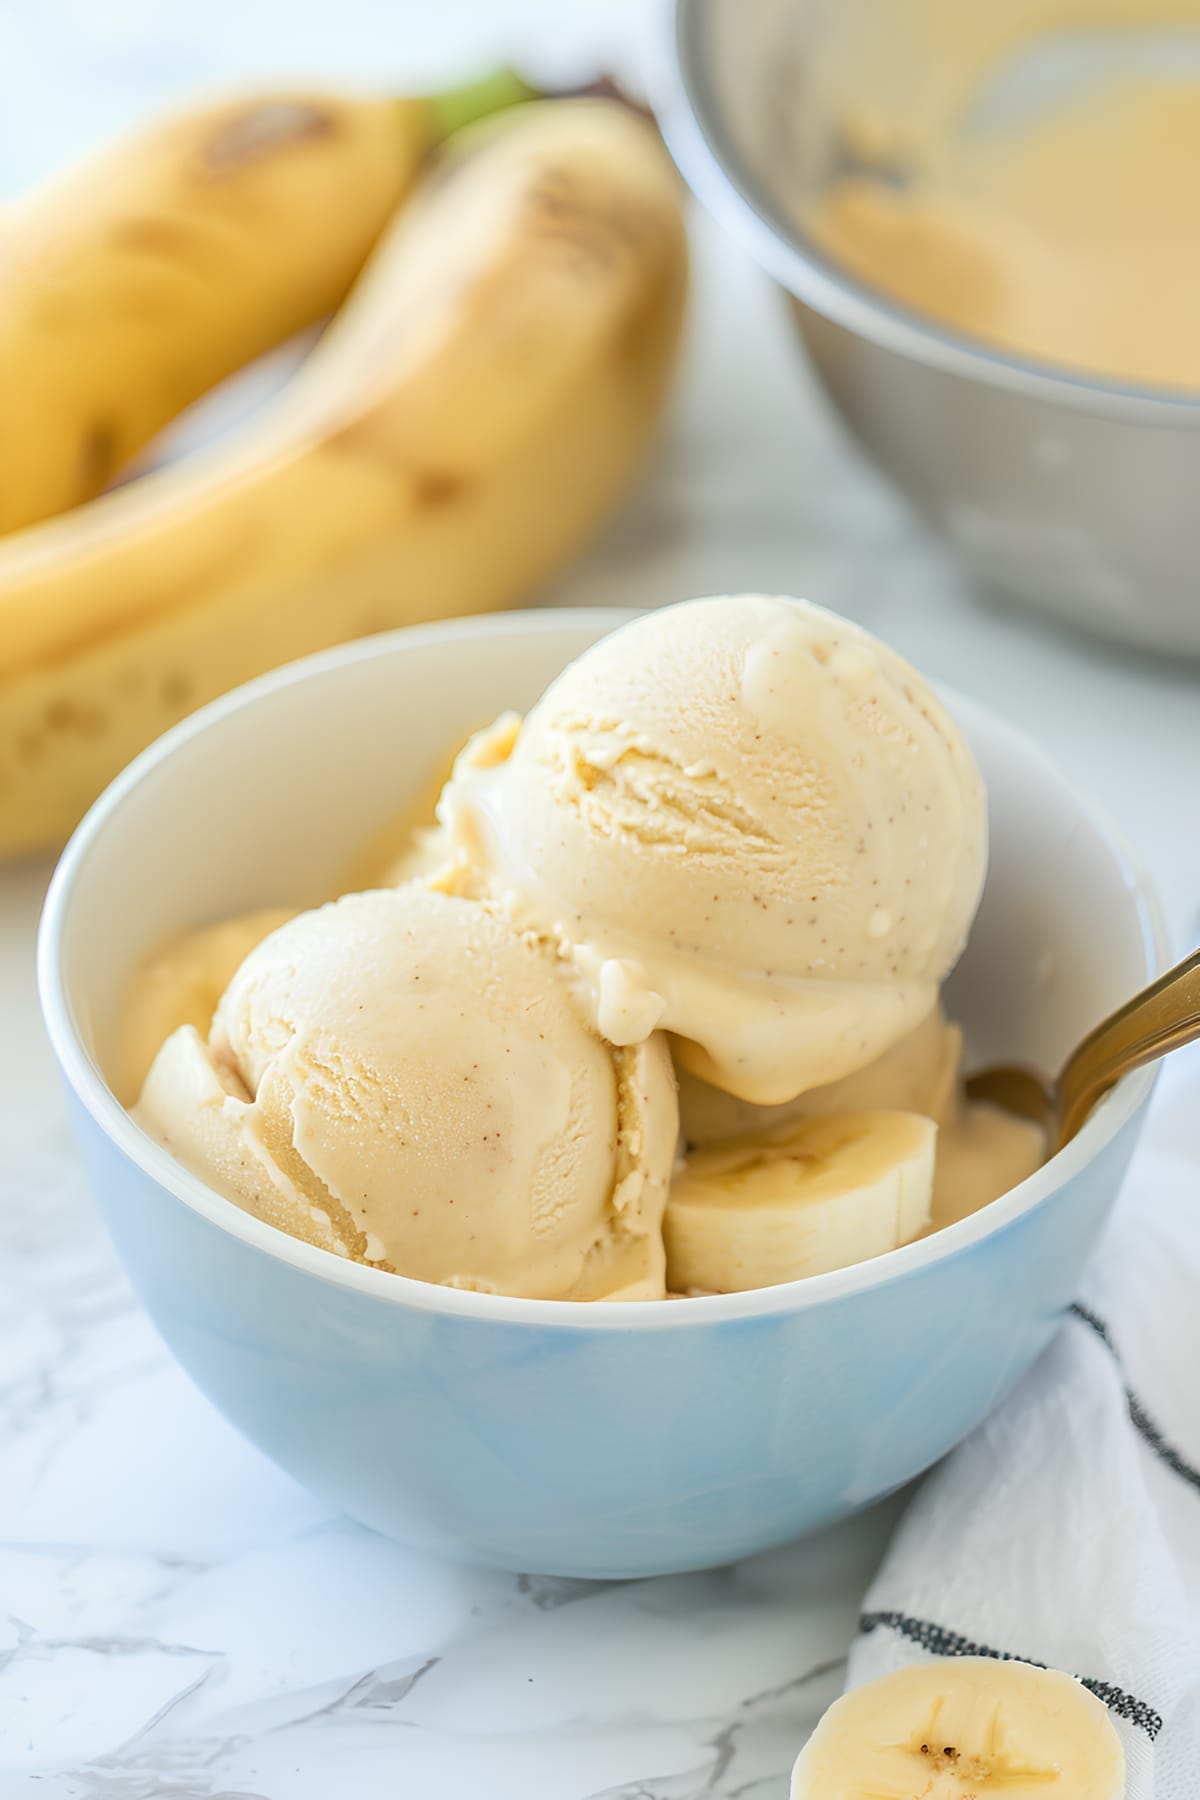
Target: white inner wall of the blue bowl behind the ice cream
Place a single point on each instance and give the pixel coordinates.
(271, 795)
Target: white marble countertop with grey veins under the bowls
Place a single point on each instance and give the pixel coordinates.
(177, 1619)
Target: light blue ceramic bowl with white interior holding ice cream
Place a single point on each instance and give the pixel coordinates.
(569, 1439)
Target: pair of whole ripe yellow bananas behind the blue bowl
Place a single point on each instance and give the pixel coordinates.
(508, 307)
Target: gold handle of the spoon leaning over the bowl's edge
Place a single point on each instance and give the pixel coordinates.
(1161, 1018)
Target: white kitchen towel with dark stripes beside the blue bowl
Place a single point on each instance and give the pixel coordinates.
(1068, 1529)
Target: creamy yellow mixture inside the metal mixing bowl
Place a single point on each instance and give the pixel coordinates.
(1025, 174)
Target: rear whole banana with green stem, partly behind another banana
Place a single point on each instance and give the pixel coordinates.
(150, 273)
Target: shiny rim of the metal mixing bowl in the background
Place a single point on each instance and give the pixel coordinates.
(690, 118)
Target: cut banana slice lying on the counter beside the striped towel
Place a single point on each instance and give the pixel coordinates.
(960, 1729)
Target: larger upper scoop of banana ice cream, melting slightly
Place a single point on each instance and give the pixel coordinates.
(751, 825)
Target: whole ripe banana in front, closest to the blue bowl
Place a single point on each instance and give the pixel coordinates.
(469, 418)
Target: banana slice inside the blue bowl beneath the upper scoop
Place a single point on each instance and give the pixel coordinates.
(800, 1200)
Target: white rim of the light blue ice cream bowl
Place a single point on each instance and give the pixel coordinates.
(107, 1113)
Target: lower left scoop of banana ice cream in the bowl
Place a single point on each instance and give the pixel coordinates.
(402, 1079)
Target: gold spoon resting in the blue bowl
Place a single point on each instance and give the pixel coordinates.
(1160, 1020)
